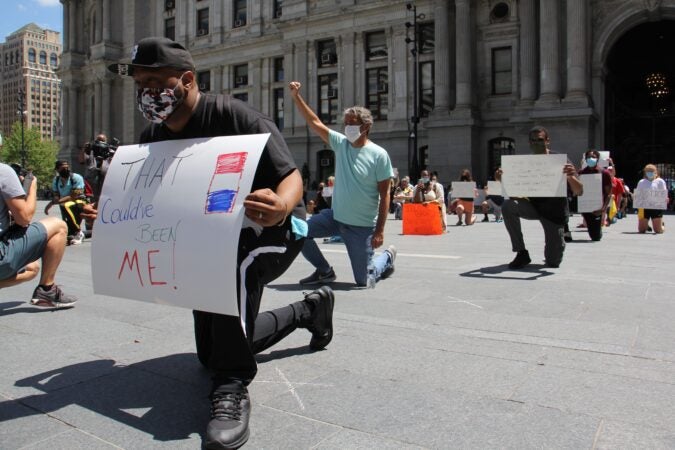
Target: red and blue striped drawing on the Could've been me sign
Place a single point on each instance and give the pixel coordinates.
(224, 185)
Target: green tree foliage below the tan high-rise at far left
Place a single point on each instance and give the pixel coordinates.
(40, 154)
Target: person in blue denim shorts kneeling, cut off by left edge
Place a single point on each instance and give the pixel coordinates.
(23, 242)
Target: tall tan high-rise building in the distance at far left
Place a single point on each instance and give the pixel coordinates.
(29, 58)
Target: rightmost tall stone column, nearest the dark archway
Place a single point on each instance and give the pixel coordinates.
(577, 51)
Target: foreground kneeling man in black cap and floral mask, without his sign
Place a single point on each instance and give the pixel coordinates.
(168, 96)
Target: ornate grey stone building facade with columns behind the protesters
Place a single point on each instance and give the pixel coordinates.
(487, 70)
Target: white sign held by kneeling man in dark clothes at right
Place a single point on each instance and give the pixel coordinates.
(534, 175)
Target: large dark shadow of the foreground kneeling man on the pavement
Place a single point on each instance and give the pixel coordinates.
(148, 396)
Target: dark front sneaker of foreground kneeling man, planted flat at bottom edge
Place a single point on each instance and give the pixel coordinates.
(230, 412)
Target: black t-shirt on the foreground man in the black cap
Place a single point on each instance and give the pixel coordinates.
(220, 115)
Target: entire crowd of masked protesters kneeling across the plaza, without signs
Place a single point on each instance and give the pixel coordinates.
(353, 205)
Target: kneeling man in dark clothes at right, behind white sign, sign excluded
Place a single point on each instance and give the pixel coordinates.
(552, 212)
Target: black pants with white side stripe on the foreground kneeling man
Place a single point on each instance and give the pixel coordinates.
(222, 343)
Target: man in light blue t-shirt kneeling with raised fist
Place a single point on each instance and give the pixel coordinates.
(363, 174)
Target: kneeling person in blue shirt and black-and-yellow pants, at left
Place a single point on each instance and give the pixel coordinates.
(68, 193)
